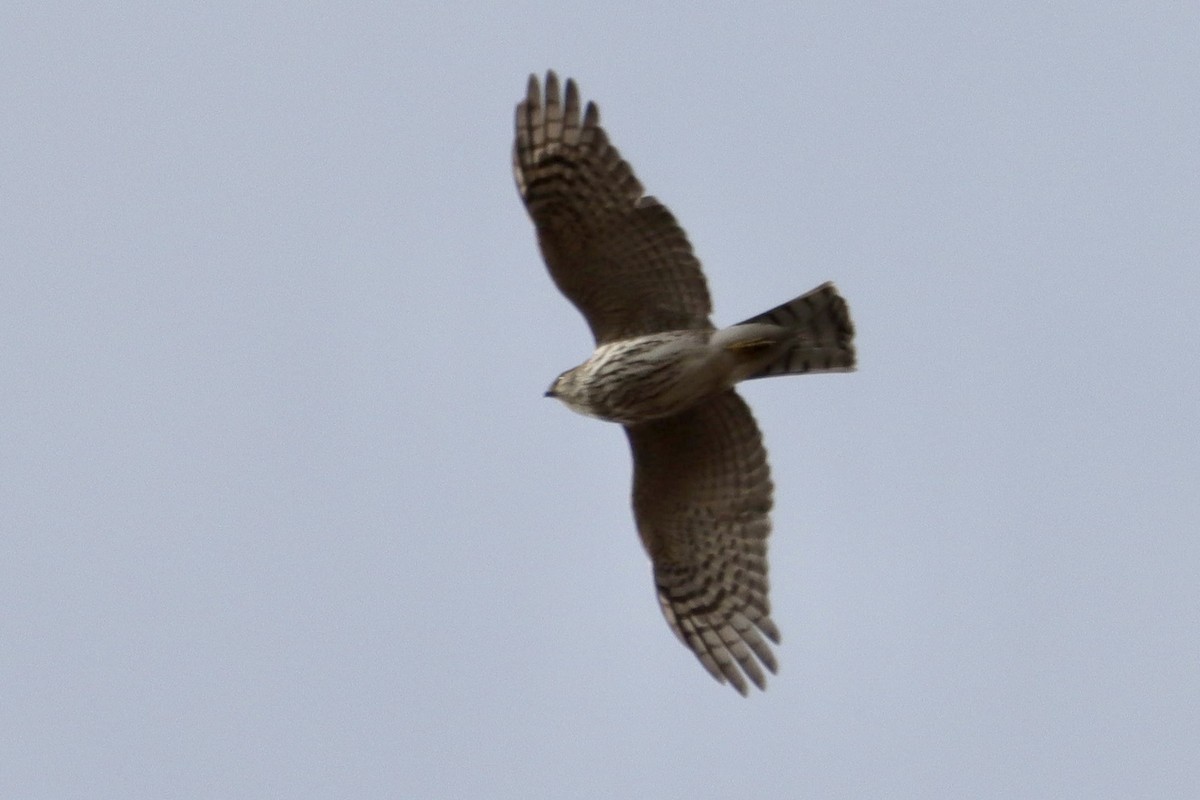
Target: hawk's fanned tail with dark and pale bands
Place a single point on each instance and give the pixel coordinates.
(823, 335)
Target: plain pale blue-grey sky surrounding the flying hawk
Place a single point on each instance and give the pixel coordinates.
(283, 509)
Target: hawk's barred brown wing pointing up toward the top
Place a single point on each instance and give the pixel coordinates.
(619, 256)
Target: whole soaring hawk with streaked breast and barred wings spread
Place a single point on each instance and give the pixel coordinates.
(703, 490)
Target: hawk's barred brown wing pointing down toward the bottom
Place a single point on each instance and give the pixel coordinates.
(703, 495)
